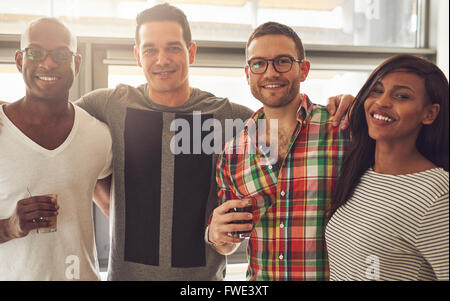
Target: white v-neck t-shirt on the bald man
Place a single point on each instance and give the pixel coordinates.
(70, 171)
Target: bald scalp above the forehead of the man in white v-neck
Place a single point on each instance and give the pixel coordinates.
(50, 29)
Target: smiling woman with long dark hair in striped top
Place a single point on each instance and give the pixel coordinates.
(390, 216)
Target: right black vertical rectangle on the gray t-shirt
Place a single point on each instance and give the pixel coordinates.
(192, 183)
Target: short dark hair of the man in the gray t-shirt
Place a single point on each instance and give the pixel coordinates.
(164, 12)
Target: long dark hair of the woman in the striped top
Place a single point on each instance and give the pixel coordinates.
(432, 142)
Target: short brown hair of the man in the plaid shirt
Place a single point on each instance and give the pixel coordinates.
(275, 28)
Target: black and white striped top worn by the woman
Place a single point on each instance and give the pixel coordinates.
(392, 228)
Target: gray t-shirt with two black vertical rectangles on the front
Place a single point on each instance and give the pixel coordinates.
(164, 187)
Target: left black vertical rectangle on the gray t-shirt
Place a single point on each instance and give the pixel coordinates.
(142, 138)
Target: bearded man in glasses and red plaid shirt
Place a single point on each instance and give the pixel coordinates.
(290, 195)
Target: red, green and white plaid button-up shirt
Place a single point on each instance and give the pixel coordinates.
(290, 200)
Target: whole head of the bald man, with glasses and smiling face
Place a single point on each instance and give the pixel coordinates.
(50, 63)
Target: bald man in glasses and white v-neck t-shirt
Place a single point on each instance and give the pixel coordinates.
(52, 154)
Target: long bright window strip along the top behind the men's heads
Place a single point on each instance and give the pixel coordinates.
(330, 22)
